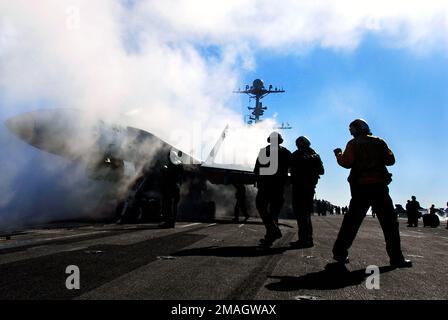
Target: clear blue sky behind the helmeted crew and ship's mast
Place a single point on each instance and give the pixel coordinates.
(403, 96)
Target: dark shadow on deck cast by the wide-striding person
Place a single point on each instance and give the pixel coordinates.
(322, 280)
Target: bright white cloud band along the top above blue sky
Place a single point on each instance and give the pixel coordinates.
(293, 24)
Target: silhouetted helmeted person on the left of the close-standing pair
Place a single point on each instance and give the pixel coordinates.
(271, 171)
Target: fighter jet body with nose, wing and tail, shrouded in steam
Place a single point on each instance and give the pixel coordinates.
(69, 133)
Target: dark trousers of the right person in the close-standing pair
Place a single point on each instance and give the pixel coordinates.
(302, 205)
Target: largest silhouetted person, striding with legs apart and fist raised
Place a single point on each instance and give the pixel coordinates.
(367, 157)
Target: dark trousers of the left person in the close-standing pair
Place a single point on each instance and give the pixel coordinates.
(269, 202)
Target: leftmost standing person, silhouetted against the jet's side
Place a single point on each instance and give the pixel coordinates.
(171, 179)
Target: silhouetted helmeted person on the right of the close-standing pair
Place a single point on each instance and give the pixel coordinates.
(306, 166)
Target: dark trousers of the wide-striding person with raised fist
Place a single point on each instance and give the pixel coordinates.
(364, 196)
